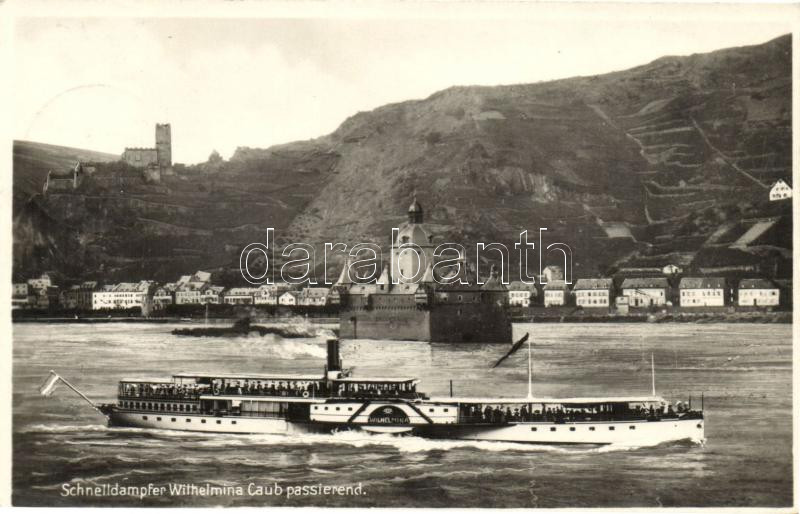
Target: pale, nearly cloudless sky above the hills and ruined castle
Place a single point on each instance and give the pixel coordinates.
(103, 82)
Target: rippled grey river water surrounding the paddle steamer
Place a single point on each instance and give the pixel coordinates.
(743, 371)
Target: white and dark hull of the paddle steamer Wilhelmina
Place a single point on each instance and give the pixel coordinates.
(409, 419)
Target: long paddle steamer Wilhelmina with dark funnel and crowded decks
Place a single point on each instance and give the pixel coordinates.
(335, 400)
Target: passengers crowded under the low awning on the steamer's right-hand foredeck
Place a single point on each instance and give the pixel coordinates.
(500, 414)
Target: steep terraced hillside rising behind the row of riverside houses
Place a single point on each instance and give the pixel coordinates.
(666, 162)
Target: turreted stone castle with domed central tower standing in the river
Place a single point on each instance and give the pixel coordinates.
(409, 301)
